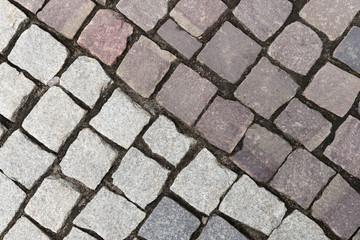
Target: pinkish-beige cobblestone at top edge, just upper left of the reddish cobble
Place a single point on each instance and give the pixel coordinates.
(66, 16)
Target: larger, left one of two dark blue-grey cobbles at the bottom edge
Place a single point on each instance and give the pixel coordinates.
(169, 221)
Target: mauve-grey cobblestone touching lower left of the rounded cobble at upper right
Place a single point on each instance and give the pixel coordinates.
(266, 88)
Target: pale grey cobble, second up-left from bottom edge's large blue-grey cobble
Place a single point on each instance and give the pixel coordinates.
(88, 159)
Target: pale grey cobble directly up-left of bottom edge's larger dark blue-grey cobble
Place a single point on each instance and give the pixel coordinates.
(140, 177)
